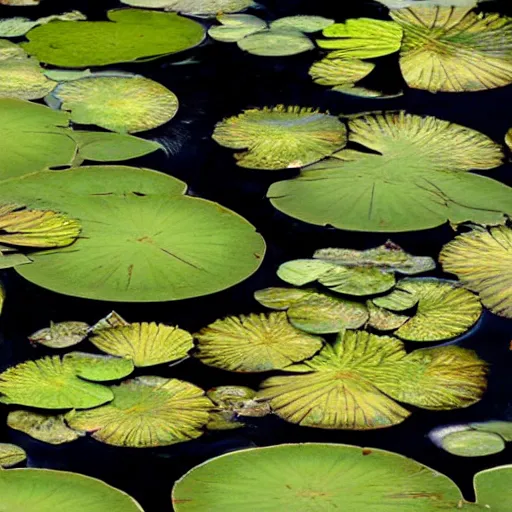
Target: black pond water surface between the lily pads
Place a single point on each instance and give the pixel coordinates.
(222, 83)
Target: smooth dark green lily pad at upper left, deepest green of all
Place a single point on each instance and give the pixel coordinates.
(130, 35)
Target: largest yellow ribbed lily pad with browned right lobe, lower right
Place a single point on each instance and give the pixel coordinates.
(354, 384)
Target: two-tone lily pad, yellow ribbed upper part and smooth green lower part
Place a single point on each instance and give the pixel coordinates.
(413, 179)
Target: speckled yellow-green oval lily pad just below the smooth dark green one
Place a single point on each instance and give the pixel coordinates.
(118, 103)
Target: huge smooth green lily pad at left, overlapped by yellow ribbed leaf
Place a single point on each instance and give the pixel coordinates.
(142, 239)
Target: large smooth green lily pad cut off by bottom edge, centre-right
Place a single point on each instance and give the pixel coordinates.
(315, 476)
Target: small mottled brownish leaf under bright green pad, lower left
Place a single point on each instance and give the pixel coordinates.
(47, 428)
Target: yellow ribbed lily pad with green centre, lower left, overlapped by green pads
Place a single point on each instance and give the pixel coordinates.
(147, 412)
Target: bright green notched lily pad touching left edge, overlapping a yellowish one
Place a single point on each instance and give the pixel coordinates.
(50, 383)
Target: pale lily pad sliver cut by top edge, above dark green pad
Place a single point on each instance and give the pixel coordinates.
(193, 7)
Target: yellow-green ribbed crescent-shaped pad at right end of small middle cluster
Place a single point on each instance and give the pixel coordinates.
(445, 310)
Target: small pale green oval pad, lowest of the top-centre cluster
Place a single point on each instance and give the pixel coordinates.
(276, 42)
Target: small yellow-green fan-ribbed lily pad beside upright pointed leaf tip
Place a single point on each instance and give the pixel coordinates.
(147, 344)
